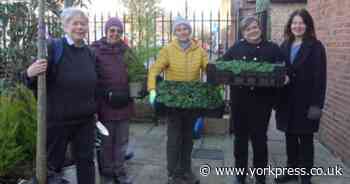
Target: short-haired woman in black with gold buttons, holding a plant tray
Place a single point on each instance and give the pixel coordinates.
(251, 106)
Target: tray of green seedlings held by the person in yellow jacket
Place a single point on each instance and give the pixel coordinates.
(203, 99)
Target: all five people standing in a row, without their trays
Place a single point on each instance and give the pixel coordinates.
(90, 82)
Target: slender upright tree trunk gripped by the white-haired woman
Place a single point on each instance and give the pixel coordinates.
(41, 161)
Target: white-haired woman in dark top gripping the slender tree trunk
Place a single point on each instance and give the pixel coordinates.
(71, 84)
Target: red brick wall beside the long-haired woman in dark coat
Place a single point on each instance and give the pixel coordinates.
(333, 29)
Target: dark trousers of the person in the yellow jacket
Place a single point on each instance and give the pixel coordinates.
(180, 143)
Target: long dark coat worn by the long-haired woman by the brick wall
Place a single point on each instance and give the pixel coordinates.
(307, 88)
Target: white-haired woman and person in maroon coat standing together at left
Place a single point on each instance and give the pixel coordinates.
(85, 84)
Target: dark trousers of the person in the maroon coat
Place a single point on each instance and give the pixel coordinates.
(113, 149)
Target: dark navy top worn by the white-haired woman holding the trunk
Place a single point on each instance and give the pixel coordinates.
(71, 86)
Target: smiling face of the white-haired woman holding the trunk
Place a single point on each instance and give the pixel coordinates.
(76, 28)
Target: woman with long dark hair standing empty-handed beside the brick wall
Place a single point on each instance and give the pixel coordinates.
(301, 101)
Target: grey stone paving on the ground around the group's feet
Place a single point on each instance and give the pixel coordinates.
(149, 166)
